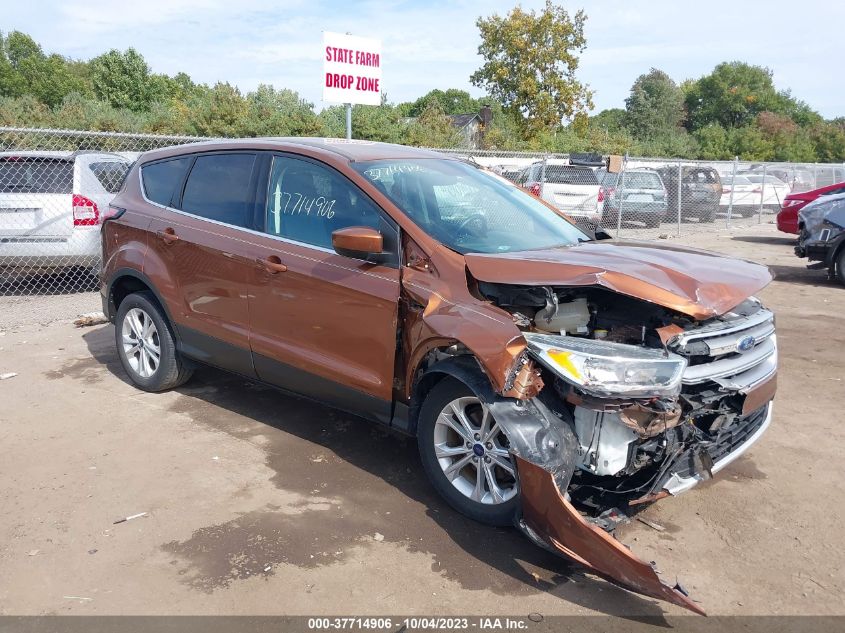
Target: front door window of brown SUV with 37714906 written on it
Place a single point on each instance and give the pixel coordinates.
(306, 202)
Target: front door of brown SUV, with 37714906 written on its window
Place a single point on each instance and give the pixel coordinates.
(324, 325)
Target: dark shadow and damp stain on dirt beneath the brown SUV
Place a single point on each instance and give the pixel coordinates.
(375, 484)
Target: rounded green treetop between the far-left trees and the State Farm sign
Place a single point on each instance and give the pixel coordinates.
(123, 79)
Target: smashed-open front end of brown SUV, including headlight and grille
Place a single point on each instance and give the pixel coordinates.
(655, 398)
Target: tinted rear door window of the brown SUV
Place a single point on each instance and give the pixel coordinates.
(218, 188)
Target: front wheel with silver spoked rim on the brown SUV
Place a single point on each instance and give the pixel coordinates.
(465, 454)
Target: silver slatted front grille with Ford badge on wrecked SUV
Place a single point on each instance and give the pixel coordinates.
(736, 351)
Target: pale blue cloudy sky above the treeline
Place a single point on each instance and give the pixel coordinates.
(432, 44)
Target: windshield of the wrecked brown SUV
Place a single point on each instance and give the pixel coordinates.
(467, 209)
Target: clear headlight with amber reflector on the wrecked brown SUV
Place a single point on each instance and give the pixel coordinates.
(607, 369)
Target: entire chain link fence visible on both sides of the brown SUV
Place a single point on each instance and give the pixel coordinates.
(55, 186)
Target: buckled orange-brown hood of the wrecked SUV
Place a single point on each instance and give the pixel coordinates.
(694, 282)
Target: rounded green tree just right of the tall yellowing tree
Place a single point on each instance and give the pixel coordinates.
(655, 107)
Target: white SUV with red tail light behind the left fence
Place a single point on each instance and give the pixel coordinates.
(52, 205)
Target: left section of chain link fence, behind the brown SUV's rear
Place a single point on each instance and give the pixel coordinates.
(55, 186)
